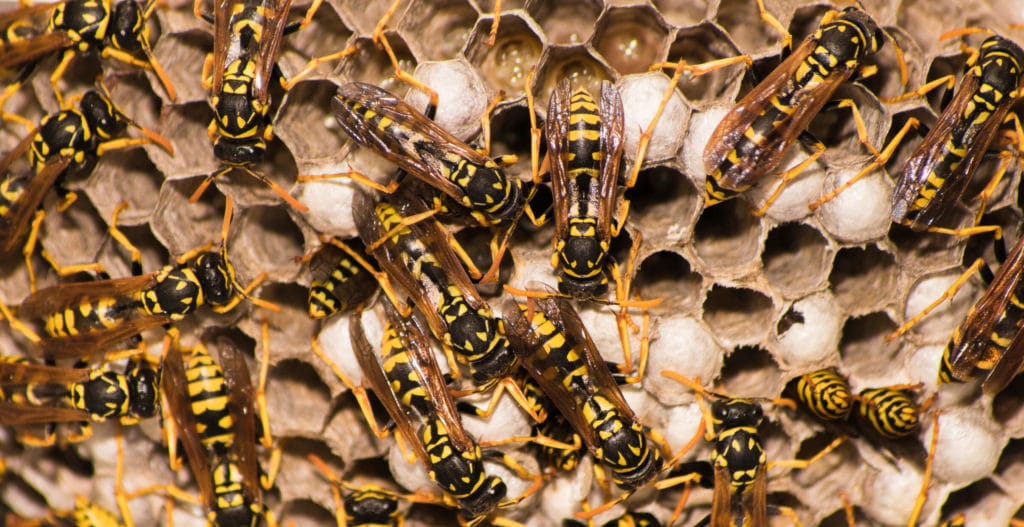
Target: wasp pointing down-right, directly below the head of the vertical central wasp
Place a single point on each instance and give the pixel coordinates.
(557, 350)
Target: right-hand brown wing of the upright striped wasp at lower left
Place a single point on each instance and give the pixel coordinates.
(243, 399)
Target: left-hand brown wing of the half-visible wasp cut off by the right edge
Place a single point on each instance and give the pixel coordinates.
(975, 333)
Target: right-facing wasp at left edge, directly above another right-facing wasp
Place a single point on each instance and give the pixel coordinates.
(86, 318)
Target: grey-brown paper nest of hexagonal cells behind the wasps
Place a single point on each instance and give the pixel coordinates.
(757, 300)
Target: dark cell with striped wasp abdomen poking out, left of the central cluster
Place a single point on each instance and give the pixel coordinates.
(344, 279)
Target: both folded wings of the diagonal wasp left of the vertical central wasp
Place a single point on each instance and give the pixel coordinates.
(419, 159)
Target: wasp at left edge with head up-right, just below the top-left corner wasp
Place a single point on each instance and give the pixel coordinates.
(63, 142)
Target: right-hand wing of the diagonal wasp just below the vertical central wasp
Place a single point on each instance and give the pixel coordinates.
(600, 378)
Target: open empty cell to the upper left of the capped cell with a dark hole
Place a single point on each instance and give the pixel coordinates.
(739, 317)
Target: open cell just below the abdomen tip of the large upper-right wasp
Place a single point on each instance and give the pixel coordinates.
(728, 236)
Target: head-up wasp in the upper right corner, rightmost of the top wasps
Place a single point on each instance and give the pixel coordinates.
(937, 173)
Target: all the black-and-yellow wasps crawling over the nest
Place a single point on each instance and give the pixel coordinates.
(408, 270)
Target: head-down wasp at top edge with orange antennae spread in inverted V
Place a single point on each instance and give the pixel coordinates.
(247, 42)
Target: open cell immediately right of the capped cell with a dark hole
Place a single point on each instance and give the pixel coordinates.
(864, 345)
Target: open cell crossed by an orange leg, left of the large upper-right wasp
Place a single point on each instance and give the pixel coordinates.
(704, 45)
